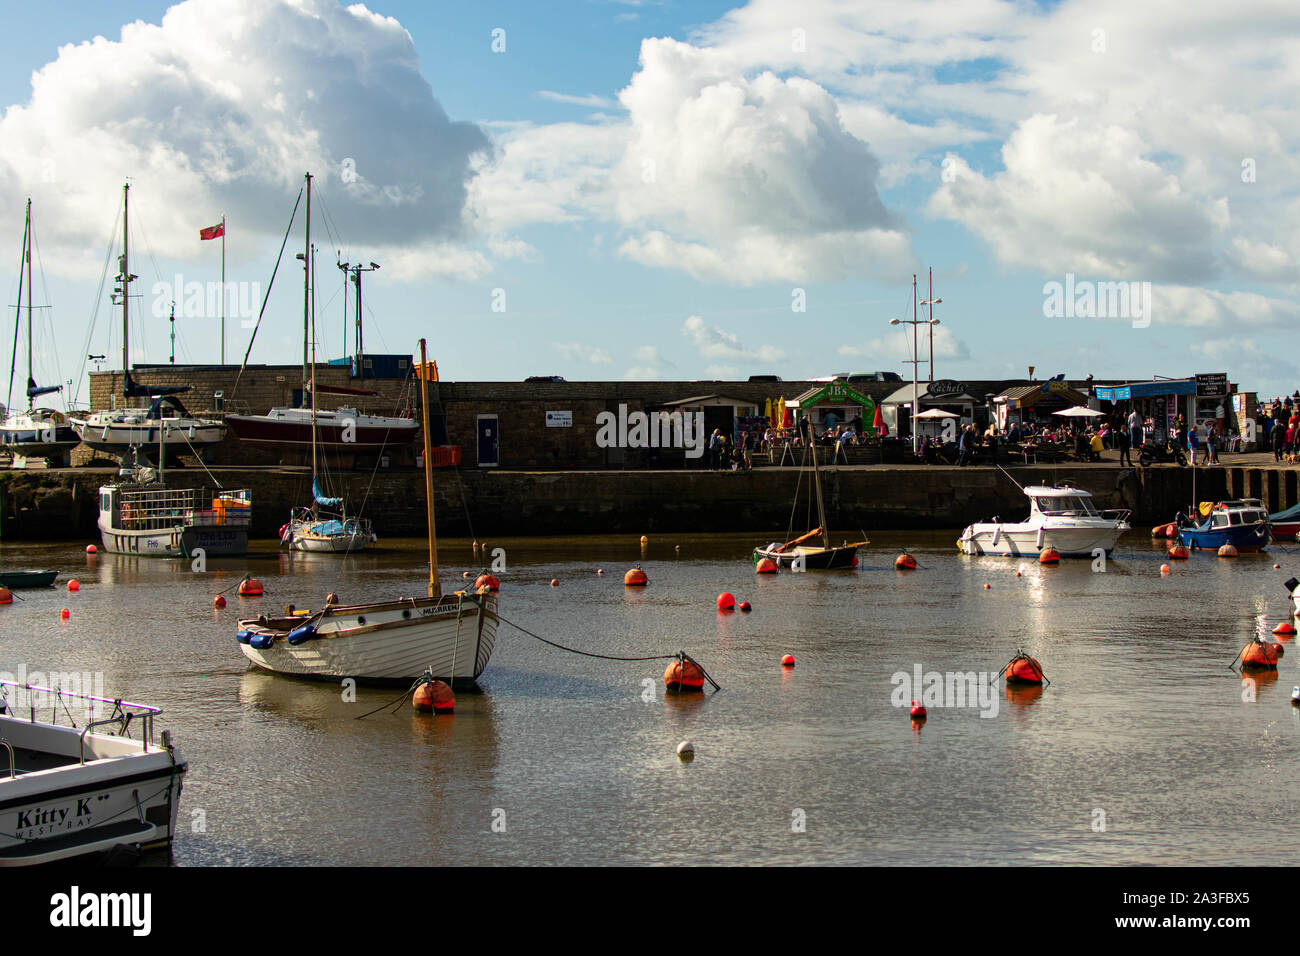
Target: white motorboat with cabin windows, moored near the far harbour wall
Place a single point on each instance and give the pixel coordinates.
(1061, 518)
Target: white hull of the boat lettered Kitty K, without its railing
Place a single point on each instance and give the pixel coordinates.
(92, 808)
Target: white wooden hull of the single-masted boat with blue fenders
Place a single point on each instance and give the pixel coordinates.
(397, 641)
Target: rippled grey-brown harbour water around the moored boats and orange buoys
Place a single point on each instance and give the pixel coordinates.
(1146, 749)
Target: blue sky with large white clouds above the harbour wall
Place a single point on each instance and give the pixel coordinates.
(647, 188)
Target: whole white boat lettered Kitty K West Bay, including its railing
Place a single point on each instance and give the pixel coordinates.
(68, 793)
